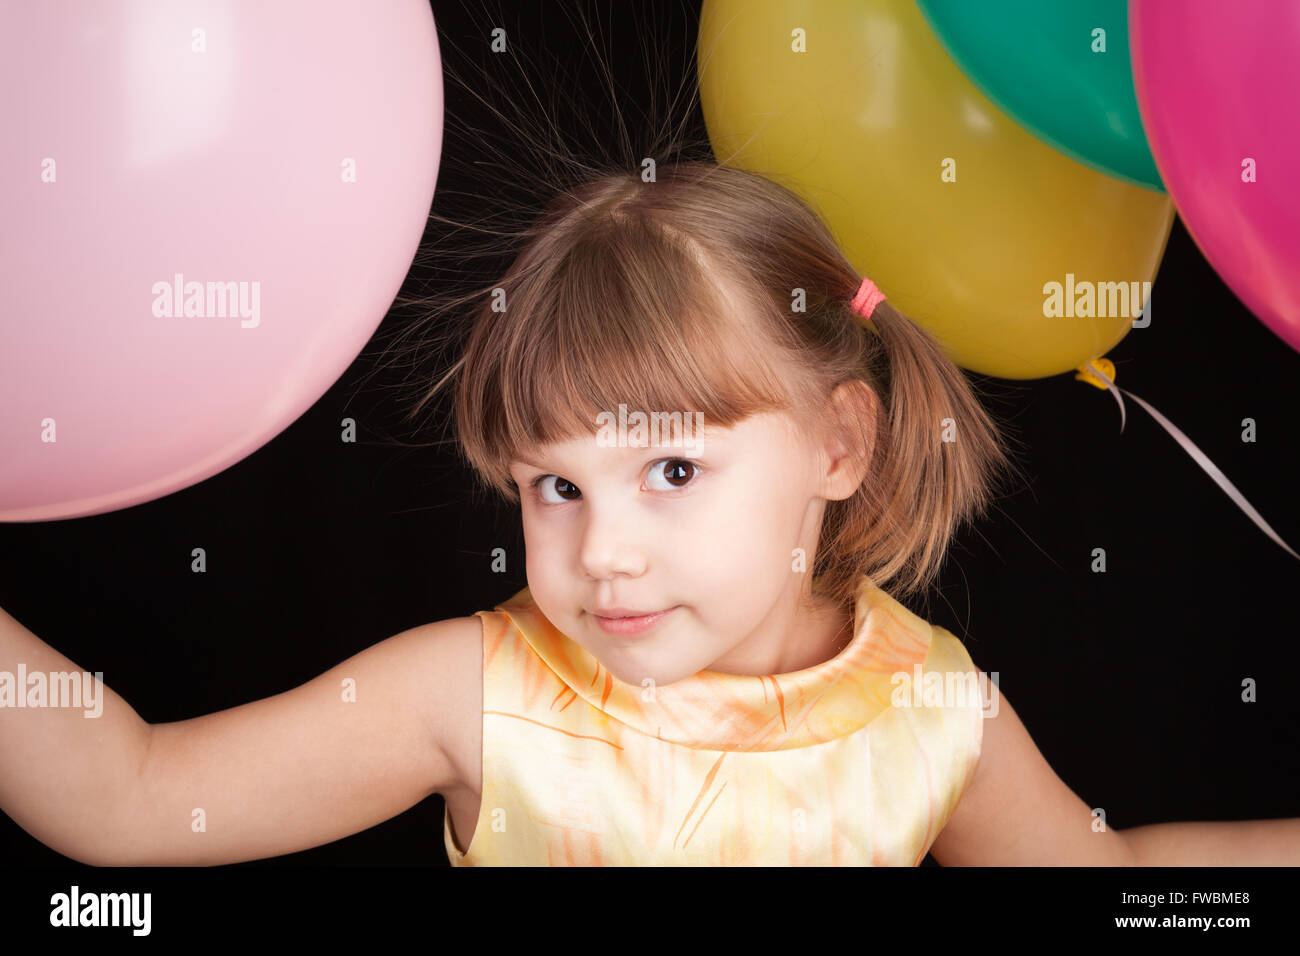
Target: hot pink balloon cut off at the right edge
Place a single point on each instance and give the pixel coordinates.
(1219, 85)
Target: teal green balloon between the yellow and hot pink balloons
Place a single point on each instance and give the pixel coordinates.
(1061, 70)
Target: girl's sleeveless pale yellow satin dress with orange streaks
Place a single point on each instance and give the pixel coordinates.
(840, 764)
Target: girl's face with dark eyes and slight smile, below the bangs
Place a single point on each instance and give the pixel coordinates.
(709, 531)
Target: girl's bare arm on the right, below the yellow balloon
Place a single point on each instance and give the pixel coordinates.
(1017, 812)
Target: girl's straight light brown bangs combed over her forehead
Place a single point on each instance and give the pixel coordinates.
(601, 334)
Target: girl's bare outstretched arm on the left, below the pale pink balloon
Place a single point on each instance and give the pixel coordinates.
(267, 778)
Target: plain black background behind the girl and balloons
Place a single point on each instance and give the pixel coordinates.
(1130, 681)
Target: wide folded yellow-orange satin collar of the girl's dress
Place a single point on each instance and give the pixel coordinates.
(734, 712)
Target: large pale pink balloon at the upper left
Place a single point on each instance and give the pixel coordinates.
(274, 162)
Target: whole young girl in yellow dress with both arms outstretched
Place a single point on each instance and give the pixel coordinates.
(705, 668)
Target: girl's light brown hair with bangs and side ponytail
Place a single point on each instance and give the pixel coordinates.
(678, 295)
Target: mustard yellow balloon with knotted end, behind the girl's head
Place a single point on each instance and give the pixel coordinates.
(963, 218)
